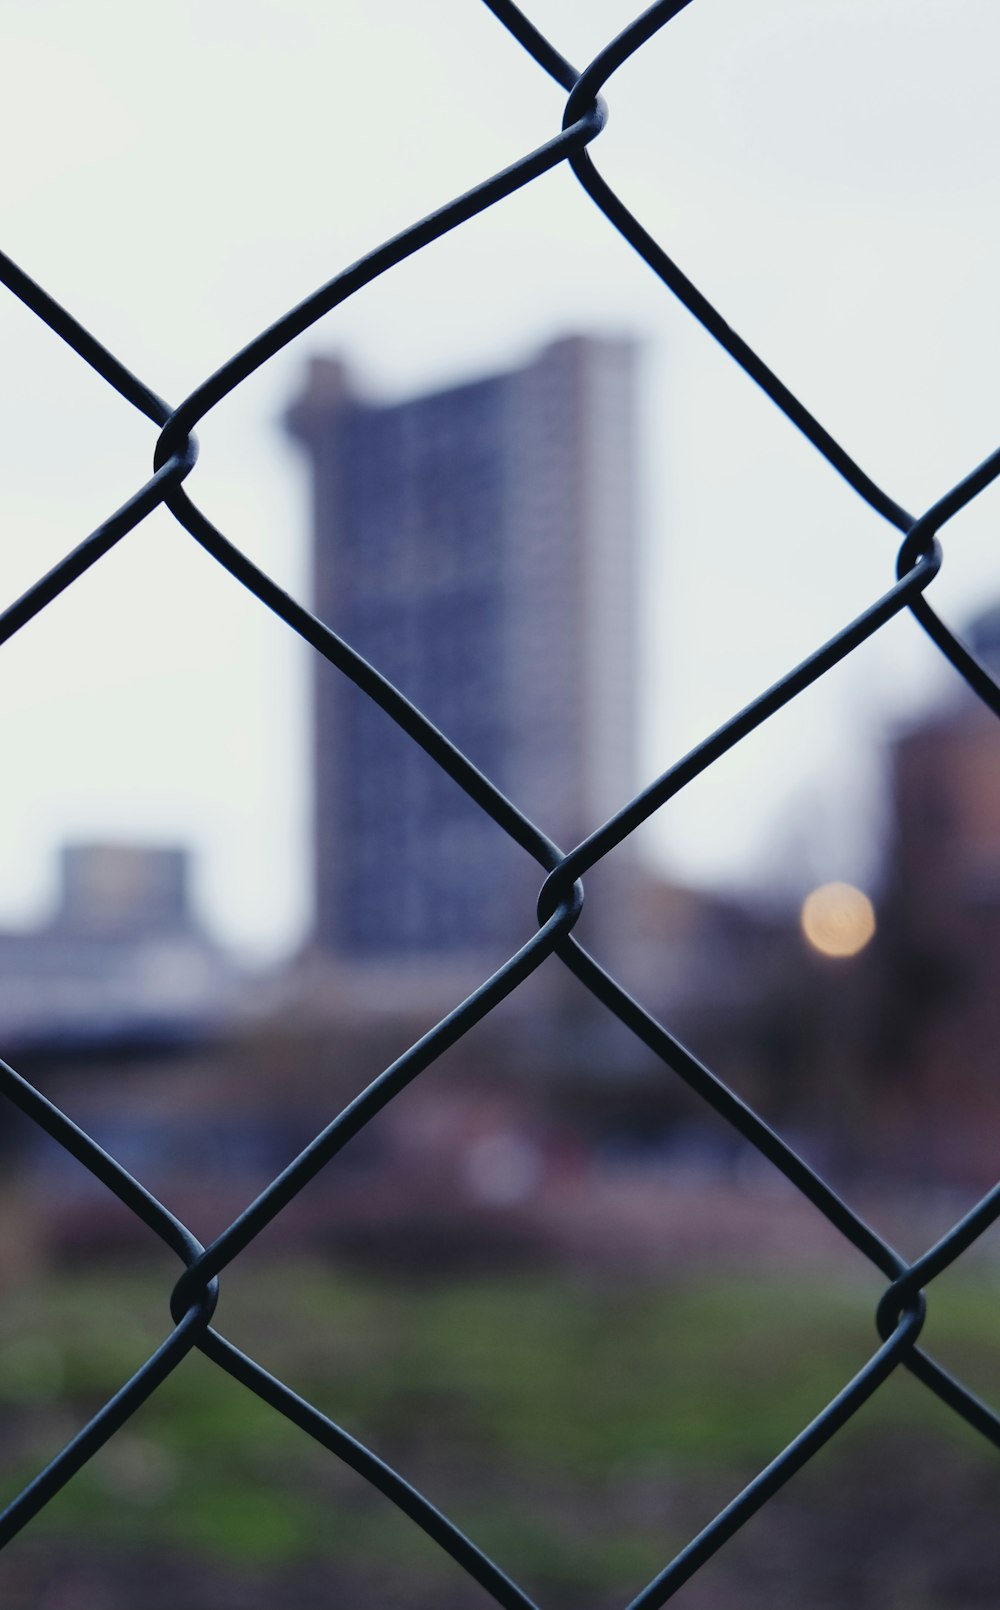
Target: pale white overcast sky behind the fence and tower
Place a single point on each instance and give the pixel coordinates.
(827, 175)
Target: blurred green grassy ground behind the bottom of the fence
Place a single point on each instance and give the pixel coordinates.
(579, 1432)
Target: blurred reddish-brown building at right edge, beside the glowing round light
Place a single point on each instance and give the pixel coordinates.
(940, 1023)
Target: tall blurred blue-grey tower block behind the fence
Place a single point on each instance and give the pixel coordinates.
(479, 547)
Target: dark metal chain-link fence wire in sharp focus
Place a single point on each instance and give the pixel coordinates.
(901, 1311)
